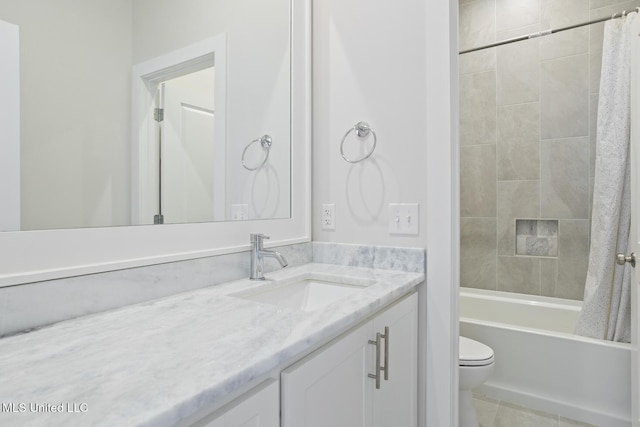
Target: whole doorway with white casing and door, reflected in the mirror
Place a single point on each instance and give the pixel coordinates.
(179, 162)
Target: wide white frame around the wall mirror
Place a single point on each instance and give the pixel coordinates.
(30, 256)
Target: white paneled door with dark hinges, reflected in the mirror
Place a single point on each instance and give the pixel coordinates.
(186, 190)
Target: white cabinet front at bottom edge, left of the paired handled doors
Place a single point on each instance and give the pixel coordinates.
(259, 407)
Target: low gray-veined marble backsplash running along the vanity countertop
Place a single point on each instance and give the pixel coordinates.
(34, 305)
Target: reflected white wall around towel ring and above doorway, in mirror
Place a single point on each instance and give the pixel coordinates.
(258, 71)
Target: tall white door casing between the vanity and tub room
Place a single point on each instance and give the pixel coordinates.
(443, 213)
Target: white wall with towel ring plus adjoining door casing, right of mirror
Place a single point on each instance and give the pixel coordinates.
(393, 64)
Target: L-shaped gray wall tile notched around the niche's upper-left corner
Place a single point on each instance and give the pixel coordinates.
(516, 199)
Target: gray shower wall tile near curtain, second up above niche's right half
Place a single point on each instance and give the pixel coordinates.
(564, 97)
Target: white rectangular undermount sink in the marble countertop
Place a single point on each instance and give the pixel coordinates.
(305, 293)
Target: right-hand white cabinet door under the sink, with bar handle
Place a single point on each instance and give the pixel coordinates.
(395, 403)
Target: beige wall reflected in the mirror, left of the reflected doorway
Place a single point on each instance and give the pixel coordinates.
(63, 135)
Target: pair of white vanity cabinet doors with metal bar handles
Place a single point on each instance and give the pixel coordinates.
(333, 386)
